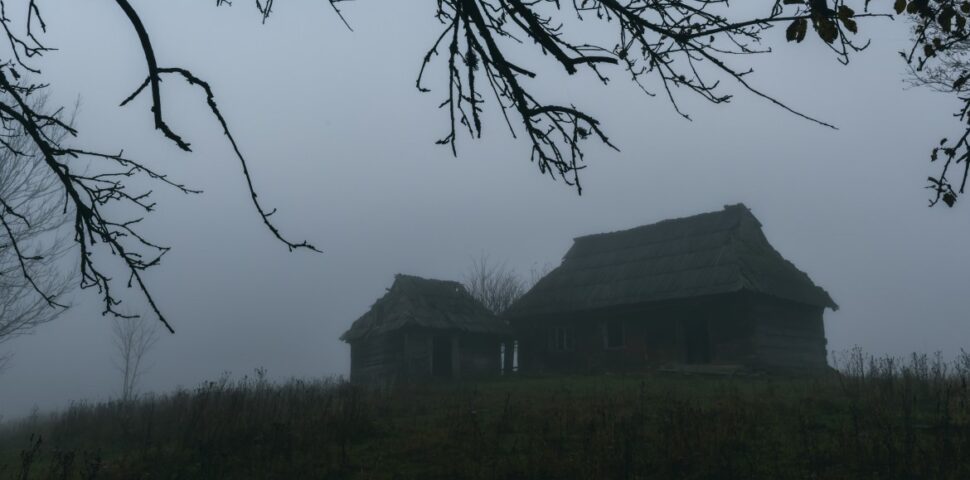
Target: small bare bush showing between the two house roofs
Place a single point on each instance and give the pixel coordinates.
(494, 284)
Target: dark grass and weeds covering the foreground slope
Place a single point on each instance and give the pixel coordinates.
(877, 418)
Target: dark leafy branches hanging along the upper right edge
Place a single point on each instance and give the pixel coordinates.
(940, 59)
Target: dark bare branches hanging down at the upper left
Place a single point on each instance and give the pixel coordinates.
(92, 195)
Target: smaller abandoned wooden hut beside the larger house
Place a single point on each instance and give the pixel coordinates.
(425, 329)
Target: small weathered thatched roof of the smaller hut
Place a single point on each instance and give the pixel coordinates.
(425, 303)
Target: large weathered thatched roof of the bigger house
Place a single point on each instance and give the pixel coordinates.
(706, 254)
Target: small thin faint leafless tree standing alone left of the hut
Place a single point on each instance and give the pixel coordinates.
(133, 339)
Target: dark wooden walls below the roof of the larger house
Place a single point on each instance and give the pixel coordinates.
(746, 330)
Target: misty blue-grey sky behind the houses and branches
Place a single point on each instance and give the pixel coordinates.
(341, 142)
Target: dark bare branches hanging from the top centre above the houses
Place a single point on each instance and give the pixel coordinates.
(679, 43)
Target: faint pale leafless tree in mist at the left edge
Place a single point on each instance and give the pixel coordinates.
(31, 251)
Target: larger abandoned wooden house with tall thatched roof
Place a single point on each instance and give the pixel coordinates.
(705, 289)
